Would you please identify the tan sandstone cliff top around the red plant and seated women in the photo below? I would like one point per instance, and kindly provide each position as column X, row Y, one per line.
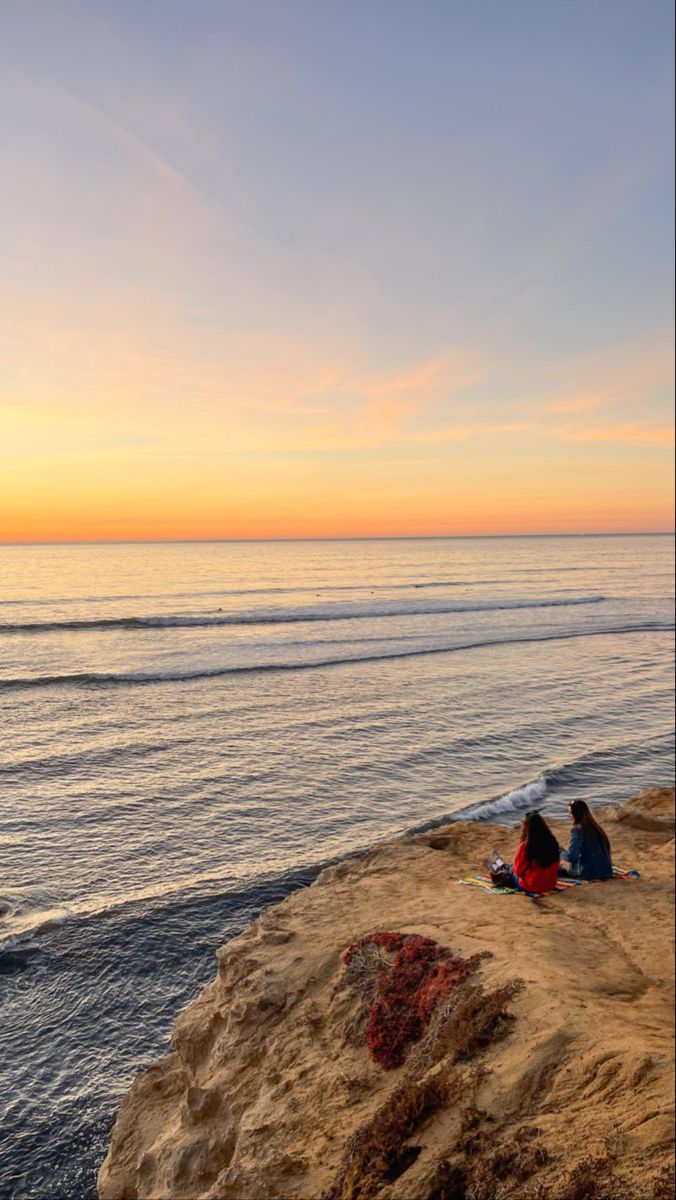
column 271, row 1091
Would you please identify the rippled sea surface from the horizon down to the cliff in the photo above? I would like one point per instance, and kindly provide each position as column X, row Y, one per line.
column 189, row 731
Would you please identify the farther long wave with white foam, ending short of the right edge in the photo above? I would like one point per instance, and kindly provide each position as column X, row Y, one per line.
column 292, row 616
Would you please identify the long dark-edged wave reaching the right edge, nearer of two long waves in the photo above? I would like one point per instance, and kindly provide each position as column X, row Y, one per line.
column 103, row 679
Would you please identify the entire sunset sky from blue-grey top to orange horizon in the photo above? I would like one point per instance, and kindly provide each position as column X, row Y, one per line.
column 336, row 268
